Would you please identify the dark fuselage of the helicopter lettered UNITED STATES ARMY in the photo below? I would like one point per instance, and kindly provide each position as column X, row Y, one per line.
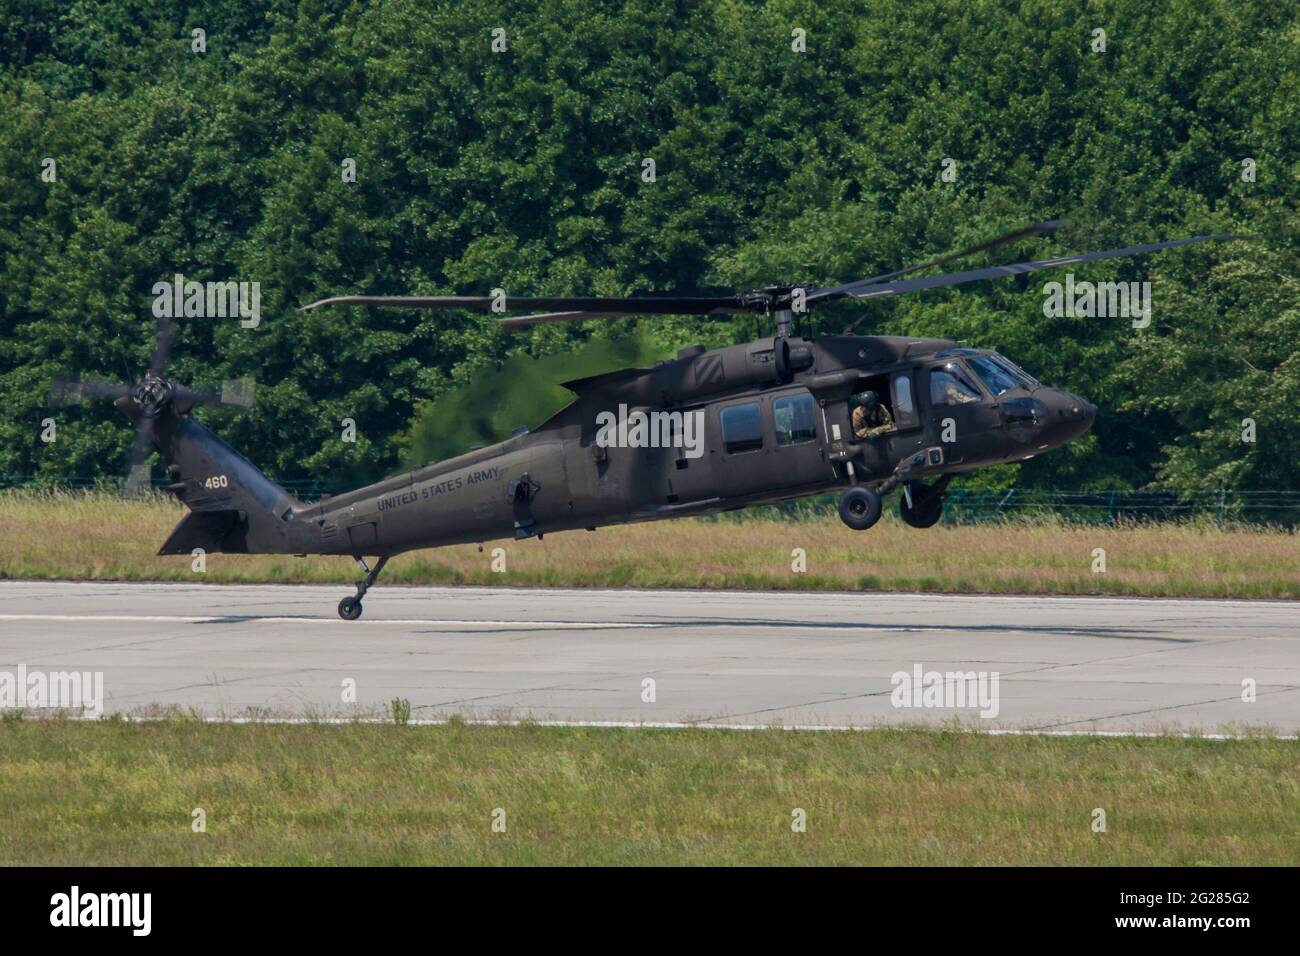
column 707, row 432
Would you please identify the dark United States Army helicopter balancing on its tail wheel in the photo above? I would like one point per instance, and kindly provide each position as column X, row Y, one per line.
column 707, row 432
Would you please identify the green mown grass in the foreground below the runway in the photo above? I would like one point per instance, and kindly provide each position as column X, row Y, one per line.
column 116, row 793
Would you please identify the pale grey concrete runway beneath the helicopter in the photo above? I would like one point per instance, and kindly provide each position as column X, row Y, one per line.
column 716, row 659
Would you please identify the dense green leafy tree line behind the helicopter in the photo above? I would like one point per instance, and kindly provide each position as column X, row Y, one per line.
column 525, row 170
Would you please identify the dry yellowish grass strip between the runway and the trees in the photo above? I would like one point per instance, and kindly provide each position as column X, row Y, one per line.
column 106, row 538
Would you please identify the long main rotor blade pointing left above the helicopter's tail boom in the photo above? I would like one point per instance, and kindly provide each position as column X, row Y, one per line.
column 648, row 305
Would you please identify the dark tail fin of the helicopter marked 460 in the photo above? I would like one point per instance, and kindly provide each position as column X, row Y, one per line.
column 235, row 508
